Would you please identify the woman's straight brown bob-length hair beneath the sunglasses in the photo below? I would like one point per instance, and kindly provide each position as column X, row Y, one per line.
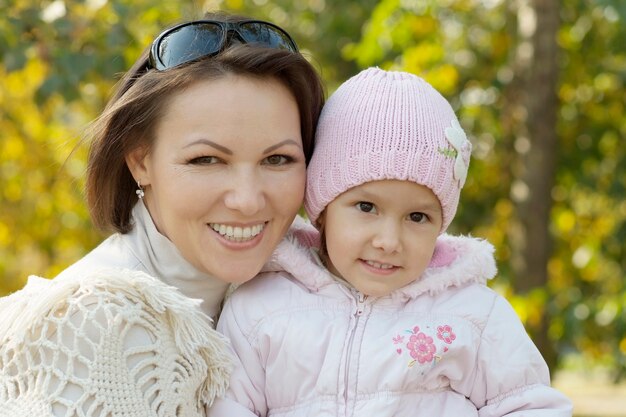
column 129, row 120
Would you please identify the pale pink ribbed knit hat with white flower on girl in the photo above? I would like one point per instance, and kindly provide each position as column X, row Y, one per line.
column 387, row 125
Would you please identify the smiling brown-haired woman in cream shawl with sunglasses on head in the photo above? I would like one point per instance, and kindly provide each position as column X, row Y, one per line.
column 198, row 166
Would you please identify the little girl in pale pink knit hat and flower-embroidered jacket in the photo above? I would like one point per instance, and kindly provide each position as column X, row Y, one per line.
column 390, row 317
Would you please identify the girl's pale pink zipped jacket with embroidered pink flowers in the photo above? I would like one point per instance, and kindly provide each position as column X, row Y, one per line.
column 446, row 345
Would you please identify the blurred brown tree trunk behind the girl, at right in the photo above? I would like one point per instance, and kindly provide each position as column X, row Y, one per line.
column 539, row 162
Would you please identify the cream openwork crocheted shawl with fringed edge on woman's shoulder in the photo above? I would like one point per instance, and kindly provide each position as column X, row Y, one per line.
column 115, row 343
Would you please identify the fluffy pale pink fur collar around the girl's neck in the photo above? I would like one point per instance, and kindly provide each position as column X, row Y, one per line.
column 457, row 260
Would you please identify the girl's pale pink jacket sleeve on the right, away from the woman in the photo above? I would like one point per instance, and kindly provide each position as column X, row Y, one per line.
column 512, row 378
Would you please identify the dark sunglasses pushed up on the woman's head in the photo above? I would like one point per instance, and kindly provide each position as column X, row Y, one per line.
column 204, row 38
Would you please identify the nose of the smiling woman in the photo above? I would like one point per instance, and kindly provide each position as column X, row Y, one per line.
column 246, row 194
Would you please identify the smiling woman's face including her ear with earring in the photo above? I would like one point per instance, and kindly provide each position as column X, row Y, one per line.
column 225, row 176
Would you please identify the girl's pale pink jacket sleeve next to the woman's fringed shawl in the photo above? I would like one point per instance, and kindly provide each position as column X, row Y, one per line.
column 246, row 393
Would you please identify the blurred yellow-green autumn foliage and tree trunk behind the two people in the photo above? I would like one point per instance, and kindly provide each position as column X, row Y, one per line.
column 537, row 84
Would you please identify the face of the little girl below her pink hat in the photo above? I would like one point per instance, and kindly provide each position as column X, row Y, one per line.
column 380, row 236
